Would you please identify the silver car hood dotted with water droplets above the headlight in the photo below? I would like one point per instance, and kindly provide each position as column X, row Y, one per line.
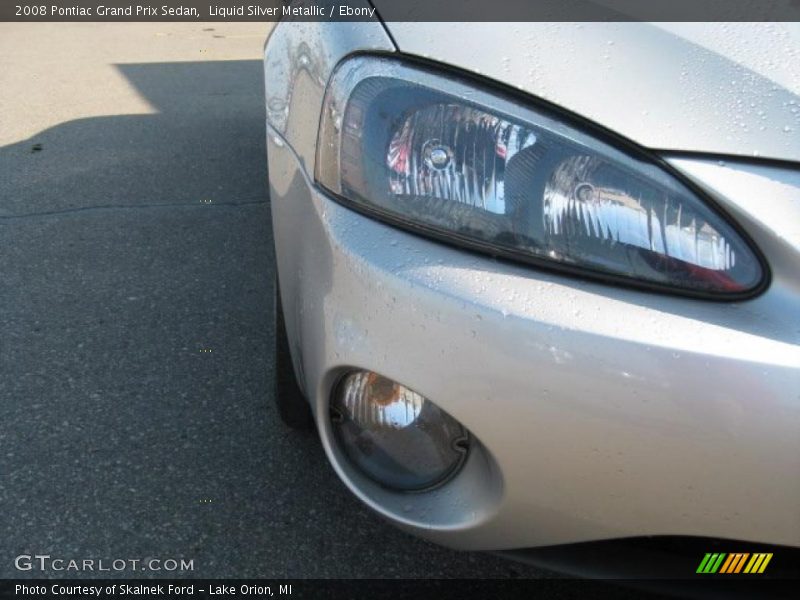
column 722, row 88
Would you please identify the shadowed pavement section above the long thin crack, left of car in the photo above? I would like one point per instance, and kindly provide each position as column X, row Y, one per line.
column 206, row 142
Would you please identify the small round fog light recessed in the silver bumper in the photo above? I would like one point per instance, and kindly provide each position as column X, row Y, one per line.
column 395, row 436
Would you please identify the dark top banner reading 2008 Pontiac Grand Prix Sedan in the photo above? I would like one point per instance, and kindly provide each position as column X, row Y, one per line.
column 400, row 10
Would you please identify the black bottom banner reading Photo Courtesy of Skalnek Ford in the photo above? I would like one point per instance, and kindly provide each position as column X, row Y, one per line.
column 347, row 589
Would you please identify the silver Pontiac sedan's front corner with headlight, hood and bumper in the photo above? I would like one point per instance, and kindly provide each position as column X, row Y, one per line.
column 539, row 283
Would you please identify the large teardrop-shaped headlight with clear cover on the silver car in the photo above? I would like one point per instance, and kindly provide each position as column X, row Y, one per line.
column 437, row 155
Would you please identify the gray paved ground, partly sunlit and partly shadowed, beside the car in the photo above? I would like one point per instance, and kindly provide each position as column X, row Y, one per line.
column 135, row 235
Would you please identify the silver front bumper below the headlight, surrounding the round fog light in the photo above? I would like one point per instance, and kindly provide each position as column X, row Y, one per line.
column 601, row 412
